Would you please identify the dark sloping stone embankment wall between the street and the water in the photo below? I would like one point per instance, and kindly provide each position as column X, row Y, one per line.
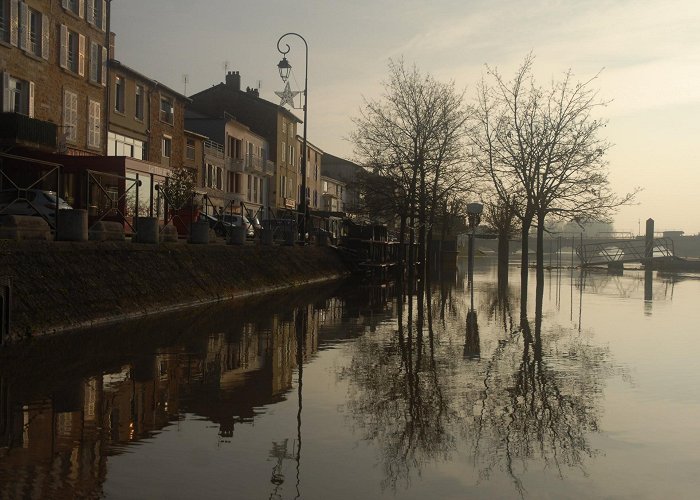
column 58, row 286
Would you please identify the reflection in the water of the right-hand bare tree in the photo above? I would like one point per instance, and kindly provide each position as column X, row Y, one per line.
column 530, row 409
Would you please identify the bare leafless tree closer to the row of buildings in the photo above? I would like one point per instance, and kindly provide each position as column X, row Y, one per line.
column 414, row 136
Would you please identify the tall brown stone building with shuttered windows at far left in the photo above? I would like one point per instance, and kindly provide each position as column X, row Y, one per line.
column 53, row 57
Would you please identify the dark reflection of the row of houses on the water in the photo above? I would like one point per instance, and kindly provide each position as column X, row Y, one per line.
column 56, row 444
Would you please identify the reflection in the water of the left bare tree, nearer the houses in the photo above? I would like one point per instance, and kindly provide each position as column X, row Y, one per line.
column 399, row 400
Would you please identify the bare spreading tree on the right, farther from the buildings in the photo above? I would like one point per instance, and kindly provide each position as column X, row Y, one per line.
column 544, row 145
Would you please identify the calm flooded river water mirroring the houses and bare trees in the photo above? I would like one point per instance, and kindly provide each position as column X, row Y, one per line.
column 345, row 392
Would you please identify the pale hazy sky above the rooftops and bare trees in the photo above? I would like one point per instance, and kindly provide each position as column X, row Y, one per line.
column 646, row 52
